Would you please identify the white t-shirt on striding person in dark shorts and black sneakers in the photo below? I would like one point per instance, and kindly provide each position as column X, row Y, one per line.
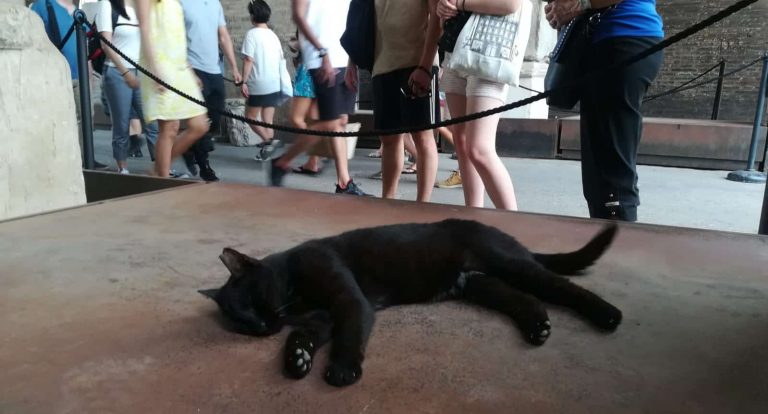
column 327, row 19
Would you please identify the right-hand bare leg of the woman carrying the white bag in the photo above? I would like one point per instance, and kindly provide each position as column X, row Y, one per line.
column 481, row 136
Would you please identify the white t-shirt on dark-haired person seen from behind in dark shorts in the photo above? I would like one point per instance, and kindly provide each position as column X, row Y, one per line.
column 263, row 47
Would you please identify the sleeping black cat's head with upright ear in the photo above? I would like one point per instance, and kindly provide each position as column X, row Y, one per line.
column 252, row 298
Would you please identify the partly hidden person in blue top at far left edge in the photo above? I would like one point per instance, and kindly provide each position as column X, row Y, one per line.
column 57, row 19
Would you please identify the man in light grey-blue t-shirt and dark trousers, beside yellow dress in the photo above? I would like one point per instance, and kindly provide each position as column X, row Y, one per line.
column 207, row 33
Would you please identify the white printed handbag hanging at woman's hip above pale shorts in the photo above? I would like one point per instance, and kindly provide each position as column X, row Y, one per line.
column 493, row 47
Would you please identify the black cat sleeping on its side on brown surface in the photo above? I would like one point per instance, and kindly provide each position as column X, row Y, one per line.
column 329, row 288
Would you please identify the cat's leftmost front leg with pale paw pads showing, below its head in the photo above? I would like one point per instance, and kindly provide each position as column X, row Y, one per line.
column 311, row 333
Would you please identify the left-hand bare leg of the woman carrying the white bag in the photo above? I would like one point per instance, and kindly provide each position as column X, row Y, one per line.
column 474, row 191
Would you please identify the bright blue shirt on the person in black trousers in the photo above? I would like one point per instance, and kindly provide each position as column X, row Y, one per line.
column 630, row 18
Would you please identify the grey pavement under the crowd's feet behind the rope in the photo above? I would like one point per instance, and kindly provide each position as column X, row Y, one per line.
column 671, row 196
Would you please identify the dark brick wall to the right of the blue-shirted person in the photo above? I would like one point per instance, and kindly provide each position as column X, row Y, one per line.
column 739, row 39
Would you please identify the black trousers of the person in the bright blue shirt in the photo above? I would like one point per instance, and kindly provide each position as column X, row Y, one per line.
column 611, row 127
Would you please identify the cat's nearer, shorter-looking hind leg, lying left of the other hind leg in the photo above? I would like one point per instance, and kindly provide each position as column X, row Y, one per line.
column 527, row 311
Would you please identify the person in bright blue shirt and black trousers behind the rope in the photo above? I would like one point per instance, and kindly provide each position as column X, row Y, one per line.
column 611, row 121
